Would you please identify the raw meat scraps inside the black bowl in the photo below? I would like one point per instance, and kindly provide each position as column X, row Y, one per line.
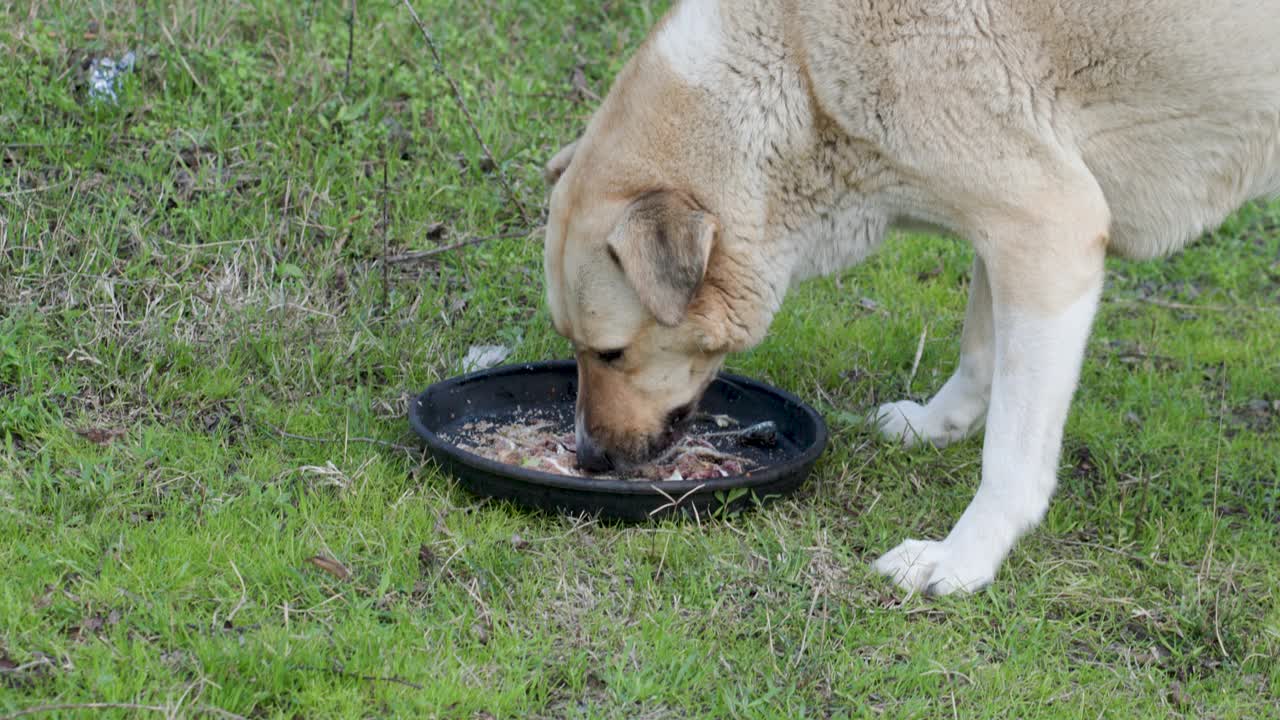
column 716, row 446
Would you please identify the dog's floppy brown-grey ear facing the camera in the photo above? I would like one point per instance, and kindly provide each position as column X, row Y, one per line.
column 664, row 244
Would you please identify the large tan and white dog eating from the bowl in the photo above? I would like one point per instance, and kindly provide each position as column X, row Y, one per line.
column 752, row 144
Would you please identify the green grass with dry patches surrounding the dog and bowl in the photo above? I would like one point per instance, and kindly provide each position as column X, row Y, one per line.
column 194, row 272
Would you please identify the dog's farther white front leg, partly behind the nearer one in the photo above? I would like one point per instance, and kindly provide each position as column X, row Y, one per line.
column 958, row 409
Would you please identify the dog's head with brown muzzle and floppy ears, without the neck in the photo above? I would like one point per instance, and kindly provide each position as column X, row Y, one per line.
column 621, row 284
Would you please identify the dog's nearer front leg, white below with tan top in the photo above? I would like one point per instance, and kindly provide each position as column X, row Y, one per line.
column 1044, row 304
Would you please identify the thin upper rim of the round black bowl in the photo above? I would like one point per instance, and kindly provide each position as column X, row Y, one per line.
column 675, row 490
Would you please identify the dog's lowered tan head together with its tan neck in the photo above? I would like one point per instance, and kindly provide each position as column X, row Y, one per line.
column 653, row 263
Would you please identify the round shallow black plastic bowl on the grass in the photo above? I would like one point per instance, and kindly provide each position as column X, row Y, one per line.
column 499, row 395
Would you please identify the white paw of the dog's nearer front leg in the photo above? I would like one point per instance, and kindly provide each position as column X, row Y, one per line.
column 935, row 568
